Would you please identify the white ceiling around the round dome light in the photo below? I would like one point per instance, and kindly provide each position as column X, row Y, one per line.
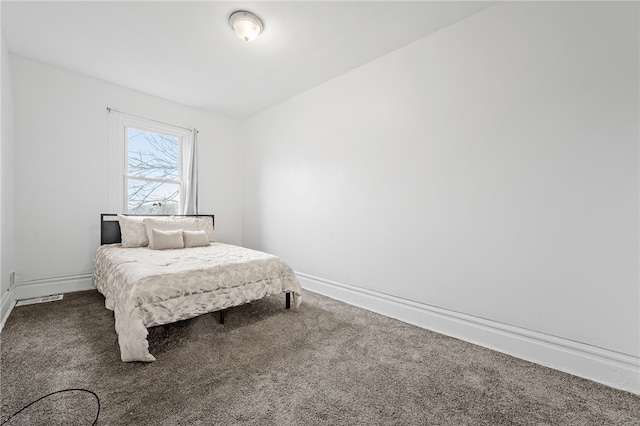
column 186, row 51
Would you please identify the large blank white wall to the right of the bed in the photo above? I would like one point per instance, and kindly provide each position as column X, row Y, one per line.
column 488, row 170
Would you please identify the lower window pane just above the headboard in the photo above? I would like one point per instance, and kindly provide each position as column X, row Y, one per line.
column 148, row 197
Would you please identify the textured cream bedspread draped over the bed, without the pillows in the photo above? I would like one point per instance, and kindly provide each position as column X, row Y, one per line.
column 147, row 287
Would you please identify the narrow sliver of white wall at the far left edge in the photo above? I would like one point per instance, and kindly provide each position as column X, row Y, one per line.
column 7, row 248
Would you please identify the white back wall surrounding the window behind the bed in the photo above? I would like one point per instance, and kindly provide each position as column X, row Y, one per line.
column 61, row 170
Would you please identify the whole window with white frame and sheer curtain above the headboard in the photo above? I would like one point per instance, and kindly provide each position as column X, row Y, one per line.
column 153, row 166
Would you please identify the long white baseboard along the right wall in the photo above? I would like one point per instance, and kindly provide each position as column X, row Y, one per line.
column 604, row 366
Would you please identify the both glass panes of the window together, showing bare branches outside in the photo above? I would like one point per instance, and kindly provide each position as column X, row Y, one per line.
column 153, row 173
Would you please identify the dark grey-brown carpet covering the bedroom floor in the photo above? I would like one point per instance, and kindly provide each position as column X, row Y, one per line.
column 327, row 363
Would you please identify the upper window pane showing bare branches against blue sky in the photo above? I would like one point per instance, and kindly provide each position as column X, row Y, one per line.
column 153, row 155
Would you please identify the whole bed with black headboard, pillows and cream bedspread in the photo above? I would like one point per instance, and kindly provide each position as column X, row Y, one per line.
column 149, row 285
